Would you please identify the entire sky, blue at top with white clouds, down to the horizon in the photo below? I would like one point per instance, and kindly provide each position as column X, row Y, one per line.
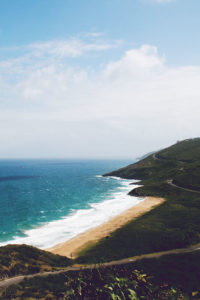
column 97, row 79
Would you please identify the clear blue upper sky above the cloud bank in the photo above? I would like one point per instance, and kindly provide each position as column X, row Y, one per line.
column 173, row 26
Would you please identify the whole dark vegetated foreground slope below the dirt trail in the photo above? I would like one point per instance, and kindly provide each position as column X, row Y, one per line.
column 181, row 272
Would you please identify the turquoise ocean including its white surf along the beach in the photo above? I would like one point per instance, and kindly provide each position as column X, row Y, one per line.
column 46, row 202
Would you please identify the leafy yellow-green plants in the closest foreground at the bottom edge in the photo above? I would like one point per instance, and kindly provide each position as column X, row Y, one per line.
column 100, row 285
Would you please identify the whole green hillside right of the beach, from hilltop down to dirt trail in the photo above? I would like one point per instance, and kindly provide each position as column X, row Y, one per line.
column 175, row 224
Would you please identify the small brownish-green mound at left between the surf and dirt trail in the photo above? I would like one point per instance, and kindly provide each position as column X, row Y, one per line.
column 23, row 259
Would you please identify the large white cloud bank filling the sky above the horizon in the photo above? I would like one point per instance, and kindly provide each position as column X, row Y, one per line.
column 132, row 105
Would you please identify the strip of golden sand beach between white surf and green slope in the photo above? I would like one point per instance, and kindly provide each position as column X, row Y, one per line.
column 74, row 246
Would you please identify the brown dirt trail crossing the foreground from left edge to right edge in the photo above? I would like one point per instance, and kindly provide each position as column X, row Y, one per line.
column 15, row 280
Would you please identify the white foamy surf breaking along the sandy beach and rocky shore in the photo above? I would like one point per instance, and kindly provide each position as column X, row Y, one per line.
column 78, row 221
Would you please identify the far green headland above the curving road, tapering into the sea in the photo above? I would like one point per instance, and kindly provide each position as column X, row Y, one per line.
column 180, row 163
